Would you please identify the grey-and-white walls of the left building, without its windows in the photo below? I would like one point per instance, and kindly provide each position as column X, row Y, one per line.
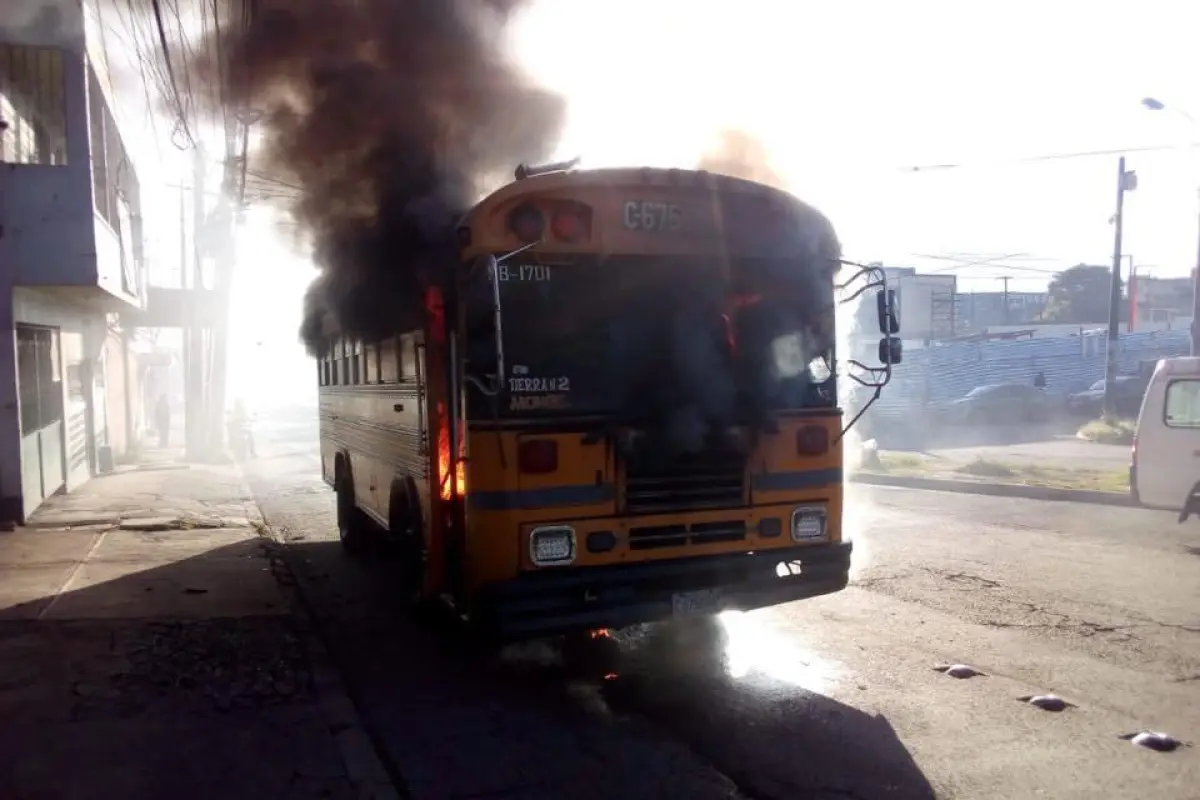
column 62, row 263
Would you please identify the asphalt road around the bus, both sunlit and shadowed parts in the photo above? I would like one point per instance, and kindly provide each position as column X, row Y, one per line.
column 829, row 699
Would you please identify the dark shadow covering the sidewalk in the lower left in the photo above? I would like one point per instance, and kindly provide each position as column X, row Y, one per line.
column 185, row 679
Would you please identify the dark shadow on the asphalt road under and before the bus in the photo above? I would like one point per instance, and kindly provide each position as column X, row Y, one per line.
column 464, row 721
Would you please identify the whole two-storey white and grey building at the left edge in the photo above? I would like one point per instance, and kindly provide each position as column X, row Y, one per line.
column 70, row 258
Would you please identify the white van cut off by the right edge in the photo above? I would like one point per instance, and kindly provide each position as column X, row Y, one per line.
column 1166, row 470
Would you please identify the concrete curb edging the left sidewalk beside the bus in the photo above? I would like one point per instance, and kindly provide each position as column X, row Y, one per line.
column 355, row 745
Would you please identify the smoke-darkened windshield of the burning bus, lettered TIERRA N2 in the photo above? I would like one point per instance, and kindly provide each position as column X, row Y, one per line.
column 602, row 339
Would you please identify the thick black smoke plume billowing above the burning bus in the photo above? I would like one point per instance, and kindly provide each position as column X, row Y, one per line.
column 388, row 116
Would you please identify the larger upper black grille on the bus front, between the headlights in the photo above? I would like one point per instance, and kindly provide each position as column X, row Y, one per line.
column 710, row 480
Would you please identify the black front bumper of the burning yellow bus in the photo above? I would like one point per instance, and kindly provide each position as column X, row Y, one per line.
column 560, row 601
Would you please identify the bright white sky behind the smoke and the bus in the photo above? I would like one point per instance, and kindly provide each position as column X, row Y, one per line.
column 913, row 125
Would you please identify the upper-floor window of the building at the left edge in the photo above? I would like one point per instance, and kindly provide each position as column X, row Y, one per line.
column 33, row 110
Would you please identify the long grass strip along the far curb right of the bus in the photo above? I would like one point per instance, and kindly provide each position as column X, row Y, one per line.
column 999, row 472
